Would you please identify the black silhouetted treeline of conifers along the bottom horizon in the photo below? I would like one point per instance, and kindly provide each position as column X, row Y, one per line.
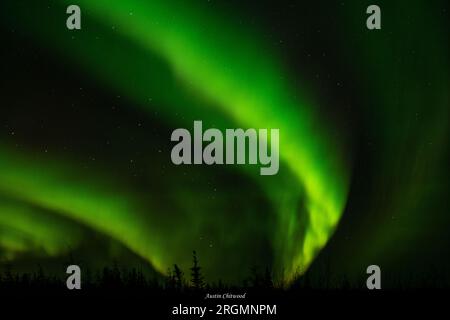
column 115, row 278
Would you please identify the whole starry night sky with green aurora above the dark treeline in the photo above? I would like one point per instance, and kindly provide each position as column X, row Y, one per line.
column 85, row 146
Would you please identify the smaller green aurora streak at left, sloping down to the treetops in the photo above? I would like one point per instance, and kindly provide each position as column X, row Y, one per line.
column 63, row 190
